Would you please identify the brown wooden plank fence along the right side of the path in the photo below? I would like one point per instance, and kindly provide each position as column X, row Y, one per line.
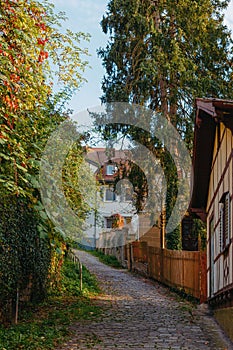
column 183, row 270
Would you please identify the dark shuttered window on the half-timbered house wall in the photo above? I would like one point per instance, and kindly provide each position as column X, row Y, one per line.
column 225, row 221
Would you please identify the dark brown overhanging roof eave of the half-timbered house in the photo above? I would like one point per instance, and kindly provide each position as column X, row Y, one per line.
column 210, row 112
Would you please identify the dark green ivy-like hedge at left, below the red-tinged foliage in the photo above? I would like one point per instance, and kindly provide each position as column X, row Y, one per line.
column 24, row 257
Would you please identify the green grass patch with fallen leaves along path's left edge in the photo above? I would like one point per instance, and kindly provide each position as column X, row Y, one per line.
column 47, row 325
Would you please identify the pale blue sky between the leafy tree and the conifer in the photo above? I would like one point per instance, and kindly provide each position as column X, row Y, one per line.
column 85, row 16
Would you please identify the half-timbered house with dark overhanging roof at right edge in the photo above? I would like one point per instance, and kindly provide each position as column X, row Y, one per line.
column 213, row 193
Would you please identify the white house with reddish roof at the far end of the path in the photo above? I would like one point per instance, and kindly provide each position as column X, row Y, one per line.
column 115, row 210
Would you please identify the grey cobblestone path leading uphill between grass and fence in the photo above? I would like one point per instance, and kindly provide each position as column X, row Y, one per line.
column 141, row 314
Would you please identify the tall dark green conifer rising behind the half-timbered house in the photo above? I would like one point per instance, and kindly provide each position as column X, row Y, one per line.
column 162, row 55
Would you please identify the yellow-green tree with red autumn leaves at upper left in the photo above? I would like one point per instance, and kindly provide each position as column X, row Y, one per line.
column 30, row 44
